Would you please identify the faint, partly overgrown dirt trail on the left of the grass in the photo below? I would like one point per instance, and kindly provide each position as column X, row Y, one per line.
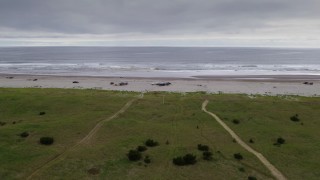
column 86, row 139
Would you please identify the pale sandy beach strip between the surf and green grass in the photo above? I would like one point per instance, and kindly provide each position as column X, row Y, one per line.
column 267, row 85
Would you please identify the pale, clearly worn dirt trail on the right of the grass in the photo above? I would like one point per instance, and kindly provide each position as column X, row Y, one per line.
column 274, row 171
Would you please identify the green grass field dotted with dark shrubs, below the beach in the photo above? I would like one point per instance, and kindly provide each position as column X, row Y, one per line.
column 71, row 114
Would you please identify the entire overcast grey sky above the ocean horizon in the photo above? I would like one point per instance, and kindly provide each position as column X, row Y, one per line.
column 271, row 23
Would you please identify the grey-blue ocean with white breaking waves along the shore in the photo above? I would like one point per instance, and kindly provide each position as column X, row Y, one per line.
column 158, row 61
